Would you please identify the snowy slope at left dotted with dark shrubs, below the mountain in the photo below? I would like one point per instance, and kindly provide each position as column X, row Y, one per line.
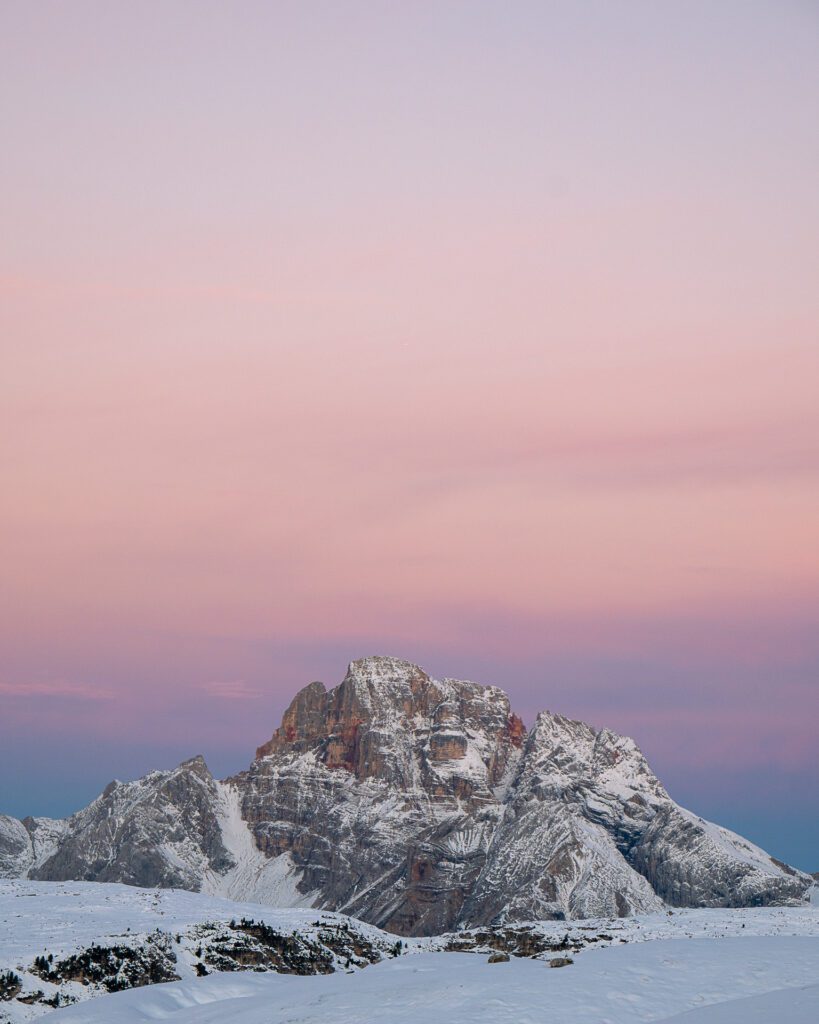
column 69, row 943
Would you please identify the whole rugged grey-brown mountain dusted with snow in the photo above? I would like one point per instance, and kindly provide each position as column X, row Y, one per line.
column 420, row 806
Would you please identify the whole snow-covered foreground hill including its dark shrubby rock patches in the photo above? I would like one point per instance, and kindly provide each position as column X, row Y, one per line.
column 67, row 943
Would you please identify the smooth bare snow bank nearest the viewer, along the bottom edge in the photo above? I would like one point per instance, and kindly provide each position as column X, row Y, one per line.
column 618, row 986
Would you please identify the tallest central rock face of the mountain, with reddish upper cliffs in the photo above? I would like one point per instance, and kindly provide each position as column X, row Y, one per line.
column 382, row 791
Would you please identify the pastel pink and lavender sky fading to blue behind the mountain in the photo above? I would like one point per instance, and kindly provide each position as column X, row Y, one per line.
column 486, row 335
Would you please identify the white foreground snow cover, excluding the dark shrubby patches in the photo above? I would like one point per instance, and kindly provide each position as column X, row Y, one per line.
column 693, row 967
